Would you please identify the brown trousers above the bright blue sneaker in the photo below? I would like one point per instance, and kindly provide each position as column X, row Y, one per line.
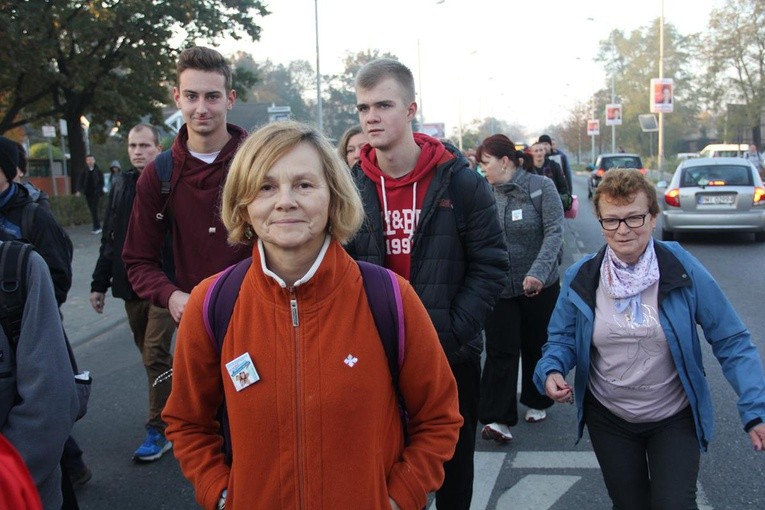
column 153, row 328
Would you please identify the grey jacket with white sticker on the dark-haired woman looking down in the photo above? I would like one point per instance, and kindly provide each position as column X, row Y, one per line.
column 533, row 237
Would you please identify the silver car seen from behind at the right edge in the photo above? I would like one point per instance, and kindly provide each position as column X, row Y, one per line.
column 714, row 195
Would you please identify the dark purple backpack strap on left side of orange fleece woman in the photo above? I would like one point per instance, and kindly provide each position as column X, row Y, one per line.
column 217, row 308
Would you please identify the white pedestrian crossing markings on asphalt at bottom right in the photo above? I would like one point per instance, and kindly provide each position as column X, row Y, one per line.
column 539, row 490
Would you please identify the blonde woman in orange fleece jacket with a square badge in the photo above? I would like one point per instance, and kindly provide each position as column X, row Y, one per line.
column 316, row 423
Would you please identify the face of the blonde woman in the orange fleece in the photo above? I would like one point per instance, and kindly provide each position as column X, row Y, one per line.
column 291, row 209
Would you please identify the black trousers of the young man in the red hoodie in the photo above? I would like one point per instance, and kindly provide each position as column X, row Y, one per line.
column 457, row 489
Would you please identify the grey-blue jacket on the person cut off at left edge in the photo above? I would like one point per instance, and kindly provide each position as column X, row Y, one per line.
column 38, row 399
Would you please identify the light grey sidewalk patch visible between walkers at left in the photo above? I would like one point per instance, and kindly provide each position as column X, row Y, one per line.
column 81, row 322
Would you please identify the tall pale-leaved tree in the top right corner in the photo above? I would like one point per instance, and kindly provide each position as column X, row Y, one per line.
column 735, row 51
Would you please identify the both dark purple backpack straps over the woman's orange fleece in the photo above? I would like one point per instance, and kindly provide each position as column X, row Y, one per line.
column 383, row 295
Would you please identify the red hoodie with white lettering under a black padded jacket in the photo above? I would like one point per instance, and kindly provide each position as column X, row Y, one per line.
column 401, row 199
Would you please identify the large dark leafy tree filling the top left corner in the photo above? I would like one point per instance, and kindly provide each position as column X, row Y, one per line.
column 110, row 59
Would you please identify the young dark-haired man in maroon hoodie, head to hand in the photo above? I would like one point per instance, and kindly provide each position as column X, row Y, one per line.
column 189, row 214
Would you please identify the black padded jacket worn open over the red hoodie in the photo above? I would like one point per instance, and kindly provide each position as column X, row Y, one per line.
column 457, row 271
